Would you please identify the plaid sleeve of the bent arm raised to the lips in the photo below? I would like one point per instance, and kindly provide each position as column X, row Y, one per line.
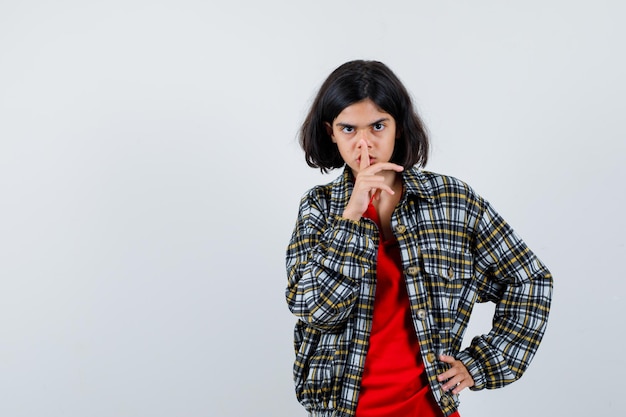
column 326, row 259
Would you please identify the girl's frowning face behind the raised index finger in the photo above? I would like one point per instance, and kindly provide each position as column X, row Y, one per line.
column 363, row 122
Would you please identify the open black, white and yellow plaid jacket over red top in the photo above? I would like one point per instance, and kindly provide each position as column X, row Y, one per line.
column 456, row 250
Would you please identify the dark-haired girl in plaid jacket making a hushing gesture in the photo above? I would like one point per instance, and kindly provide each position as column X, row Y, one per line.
column 386, row 262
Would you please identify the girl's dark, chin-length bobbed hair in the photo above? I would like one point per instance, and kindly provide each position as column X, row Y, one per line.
column 352, row 82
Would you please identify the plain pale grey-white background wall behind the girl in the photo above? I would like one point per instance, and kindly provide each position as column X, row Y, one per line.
column 150, row 178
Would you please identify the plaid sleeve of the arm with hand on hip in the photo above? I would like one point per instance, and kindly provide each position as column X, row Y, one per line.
column 521, row 287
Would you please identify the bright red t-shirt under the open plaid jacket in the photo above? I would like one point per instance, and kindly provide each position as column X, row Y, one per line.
column 394, row 381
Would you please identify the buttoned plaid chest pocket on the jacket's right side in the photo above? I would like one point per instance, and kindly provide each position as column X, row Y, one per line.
column 448, row 279
